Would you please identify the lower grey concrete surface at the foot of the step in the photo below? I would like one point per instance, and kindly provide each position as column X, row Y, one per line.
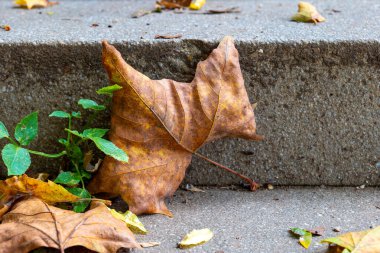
column 259, row 222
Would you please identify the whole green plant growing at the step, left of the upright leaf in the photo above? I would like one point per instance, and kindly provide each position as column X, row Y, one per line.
column 16, row 155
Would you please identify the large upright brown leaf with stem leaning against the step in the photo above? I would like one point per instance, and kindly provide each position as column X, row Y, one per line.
column 162, row 123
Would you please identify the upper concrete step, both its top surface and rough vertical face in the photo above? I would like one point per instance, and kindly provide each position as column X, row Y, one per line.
column 317, row 86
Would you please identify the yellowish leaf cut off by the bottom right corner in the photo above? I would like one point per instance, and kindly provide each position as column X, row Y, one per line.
column 367, row 241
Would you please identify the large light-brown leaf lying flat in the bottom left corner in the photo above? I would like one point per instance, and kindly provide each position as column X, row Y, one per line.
column 32, row 224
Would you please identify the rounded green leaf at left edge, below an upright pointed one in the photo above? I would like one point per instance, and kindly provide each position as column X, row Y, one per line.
column 17, row 159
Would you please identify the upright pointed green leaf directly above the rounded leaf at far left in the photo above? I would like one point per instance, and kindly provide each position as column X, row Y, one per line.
column 27, row 129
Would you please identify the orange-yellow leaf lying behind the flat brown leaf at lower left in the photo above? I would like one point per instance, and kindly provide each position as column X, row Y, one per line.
column 49, row 191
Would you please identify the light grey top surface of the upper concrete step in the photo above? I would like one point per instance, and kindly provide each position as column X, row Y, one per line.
column 262, row 21
